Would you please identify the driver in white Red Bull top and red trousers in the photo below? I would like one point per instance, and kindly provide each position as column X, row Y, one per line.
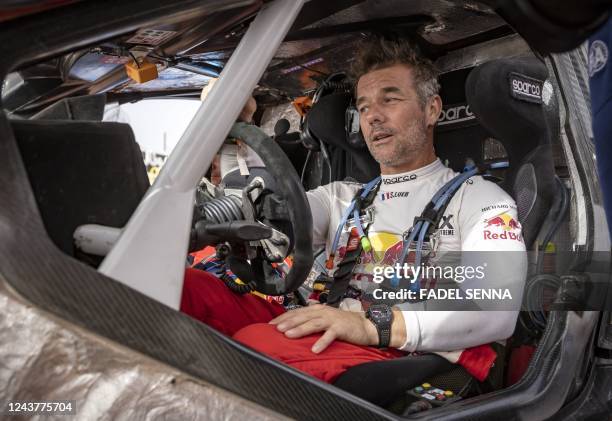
column 398, row 105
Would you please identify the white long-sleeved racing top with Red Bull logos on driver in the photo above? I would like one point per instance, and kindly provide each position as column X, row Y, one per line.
column 480, row 217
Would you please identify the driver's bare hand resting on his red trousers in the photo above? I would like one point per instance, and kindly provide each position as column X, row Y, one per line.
column 347, row 326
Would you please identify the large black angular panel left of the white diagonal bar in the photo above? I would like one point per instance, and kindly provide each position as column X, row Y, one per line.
column 81, row 172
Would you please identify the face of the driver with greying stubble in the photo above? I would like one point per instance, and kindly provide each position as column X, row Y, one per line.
column 393, row 122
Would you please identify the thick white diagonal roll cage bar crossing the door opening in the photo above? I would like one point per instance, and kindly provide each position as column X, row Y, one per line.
column 137, row 258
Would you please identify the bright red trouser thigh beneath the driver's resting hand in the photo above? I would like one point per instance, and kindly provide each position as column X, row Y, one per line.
column 326, row 366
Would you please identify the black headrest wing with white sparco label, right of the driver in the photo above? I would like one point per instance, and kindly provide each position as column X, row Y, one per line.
column 509, row 97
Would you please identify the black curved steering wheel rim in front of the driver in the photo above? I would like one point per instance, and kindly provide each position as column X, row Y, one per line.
column 300, row 217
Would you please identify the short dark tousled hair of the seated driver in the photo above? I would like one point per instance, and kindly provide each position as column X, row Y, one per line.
column 378, row 52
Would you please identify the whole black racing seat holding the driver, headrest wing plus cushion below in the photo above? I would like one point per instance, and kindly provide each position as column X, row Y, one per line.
column 525, row 125
